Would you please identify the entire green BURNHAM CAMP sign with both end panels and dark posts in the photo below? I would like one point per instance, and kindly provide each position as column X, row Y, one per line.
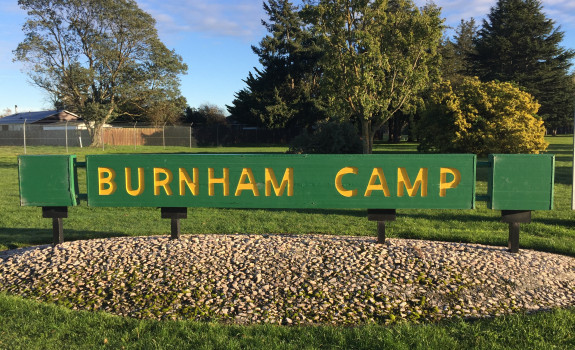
column 517, row 184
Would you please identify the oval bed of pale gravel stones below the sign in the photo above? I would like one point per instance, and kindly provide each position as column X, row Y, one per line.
column 287, row 279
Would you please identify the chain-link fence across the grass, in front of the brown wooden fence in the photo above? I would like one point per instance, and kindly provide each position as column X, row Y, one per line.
column 76, row 135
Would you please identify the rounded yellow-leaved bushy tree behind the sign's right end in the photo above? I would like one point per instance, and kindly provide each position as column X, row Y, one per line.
column 481, row 118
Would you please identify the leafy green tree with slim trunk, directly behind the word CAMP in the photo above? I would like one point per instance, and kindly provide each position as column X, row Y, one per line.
column 378, row 56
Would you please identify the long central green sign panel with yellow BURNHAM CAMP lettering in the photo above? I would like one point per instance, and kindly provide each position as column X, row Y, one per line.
column 282, row 181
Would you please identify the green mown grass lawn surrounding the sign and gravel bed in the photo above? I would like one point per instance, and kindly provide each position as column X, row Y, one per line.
column 25, row 324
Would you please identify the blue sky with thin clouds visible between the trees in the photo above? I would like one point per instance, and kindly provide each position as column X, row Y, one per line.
column 214, row 37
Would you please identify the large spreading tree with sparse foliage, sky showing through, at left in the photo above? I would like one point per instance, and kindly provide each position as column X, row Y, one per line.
column 99, row 58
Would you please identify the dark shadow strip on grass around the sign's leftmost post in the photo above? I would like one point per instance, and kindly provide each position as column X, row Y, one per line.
column 14, row 238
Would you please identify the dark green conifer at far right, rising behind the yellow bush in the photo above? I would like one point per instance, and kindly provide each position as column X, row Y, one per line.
column 518, row 43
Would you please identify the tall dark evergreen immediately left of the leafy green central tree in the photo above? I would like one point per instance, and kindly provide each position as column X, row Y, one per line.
column 285, row 92
